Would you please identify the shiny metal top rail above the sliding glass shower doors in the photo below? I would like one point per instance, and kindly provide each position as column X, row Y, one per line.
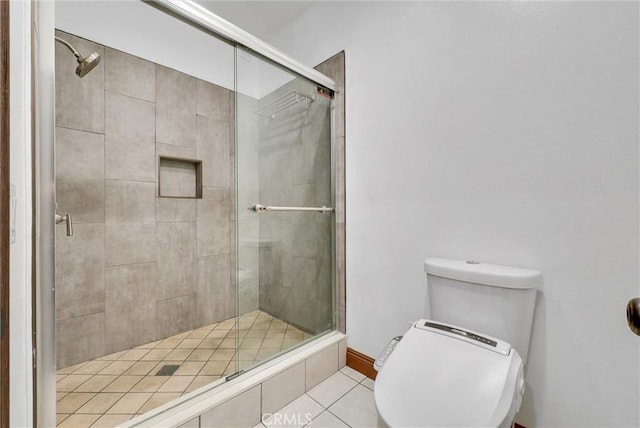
column 198, row 14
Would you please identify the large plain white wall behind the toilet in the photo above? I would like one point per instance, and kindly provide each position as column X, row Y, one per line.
column 501, row 132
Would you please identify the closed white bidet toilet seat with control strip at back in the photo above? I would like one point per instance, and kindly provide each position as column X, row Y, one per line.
column 437, row 378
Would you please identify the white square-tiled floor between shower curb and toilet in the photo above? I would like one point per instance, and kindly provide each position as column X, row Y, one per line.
column 343, row 400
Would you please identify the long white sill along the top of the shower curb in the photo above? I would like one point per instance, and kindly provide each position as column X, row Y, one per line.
column 183, row 409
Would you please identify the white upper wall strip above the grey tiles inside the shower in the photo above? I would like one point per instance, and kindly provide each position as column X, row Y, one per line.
column 139, row 29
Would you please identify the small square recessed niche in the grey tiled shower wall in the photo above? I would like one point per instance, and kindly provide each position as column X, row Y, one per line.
column 179, row 178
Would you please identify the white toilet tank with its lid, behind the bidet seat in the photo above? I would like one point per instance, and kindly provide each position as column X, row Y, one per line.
column 495, row 300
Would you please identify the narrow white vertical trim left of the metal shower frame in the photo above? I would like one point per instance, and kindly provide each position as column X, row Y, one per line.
column 20, row 252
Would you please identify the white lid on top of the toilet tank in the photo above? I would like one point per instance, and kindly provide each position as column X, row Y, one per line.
column 483, row 273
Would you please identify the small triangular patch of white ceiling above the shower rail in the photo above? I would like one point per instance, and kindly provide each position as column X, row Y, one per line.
column 263, row 19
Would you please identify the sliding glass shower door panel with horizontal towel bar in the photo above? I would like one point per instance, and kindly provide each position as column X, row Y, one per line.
column 285, row 274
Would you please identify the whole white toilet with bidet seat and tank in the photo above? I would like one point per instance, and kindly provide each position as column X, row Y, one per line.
column 464, row 366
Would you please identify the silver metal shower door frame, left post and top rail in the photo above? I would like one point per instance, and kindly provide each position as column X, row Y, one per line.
column 43, row 170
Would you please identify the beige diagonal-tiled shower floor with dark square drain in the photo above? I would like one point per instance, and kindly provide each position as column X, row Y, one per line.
column 112, row 389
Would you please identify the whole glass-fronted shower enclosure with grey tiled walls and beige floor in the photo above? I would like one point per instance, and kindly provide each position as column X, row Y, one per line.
column 196, row 206
